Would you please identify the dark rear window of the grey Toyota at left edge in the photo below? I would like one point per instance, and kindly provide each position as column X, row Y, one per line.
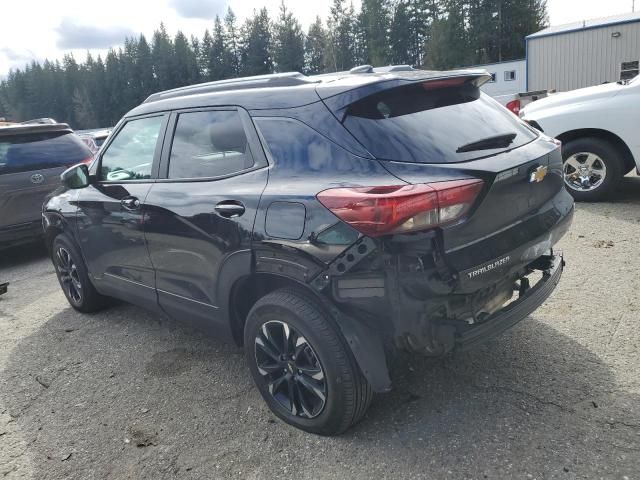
column 22, row 153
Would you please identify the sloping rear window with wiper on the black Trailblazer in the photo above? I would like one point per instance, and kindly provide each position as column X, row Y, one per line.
column 426, row 123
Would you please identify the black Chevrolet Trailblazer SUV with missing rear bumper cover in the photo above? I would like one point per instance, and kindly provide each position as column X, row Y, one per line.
column 322, row 222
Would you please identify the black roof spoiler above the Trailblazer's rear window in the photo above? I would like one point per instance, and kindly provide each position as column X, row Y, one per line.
column 339, row 102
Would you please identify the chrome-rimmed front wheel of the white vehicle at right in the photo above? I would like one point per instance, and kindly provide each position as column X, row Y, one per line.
column 580, row 152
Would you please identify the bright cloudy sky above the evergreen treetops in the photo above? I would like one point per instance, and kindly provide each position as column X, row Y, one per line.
column 38, row 29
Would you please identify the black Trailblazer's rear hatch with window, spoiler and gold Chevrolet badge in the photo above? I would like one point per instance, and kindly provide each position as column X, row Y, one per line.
column 443, row 129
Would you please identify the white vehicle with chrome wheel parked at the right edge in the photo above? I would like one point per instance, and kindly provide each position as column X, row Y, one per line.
column 598, row 127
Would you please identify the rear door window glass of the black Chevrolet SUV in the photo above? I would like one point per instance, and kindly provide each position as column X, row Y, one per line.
column 209, row 144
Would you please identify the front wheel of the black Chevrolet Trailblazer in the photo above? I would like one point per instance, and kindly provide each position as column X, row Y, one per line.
column 73, row 277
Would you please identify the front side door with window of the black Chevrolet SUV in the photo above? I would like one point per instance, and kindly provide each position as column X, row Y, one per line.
column 111, row 212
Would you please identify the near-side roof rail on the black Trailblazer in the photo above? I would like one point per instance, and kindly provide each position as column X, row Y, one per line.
column 289, row 79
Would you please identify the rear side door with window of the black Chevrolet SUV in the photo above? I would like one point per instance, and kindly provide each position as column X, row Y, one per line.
column 202, row 212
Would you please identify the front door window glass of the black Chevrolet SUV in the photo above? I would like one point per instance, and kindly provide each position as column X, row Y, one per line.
column 130, row 155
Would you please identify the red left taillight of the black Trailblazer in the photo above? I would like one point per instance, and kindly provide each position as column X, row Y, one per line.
column 376, row 211
